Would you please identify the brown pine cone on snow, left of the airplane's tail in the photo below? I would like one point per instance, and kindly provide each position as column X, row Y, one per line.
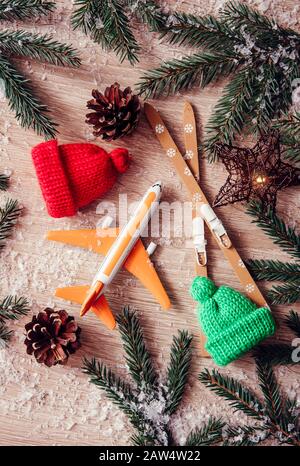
column 51, row 336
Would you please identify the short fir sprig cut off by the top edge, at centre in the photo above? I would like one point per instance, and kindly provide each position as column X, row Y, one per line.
column 148, row 12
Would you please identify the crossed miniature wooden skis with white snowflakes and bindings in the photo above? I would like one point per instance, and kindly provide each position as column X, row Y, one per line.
column 187, row 167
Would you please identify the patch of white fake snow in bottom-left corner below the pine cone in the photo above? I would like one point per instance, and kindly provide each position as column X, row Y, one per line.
column 70, row 402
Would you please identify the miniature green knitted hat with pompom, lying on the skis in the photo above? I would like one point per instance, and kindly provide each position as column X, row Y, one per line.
column 231, row 322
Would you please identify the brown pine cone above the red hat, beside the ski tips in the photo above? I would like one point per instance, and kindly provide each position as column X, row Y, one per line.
column 116, row 113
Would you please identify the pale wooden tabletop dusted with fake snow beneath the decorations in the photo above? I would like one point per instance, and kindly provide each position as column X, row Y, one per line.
column 57, row 406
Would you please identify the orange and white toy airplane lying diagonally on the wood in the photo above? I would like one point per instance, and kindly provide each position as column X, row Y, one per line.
column 122, row 249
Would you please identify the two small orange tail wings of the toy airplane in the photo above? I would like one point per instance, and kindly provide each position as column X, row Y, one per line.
column 100, row 307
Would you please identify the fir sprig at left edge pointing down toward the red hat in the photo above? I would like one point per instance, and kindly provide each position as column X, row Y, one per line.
column 30, row 112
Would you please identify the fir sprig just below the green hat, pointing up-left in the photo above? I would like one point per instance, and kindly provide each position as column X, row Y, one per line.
column 239, row 397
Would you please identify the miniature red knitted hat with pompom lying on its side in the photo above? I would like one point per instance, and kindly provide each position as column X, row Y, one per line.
column 73, row 175
